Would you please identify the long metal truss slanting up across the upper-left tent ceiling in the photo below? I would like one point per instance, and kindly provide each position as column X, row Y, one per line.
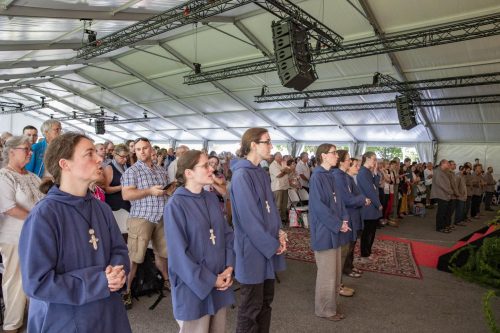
column 186, row 13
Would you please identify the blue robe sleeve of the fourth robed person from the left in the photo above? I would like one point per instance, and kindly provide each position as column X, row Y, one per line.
column 319, row 198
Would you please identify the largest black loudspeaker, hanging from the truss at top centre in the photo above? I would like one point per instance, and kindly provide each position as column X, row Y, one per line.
column 293, row 55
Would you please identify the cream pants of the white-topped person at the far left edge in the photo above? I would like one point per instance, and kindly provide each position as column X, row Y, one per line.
column 12, row 287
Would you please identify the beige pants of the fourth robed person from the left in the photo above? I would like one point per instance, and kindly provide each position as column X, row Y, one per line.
column 327, row 282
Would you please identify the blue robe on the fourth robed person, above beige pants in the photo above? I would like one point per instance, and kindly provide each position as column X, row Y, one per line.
column 326, row 211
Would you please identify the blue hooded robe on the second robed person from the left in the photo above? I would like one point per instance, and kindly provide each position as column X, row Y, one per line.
column 193, row 261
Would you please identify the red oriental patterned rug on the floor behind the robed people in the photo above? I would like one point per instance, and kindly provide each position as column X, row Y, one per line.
column 389, row 256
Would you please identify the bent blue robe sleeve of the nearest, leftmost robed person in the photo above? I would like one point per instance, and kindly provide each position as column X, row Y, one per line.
column 38, row 252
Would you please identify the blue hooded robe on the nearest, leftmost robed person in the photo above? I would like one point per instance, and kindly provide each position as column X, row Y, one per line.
column 62, row 273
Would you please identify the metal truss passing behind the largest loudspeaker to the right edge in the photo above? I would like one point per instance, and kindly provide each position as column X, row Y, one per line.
column 450, row 33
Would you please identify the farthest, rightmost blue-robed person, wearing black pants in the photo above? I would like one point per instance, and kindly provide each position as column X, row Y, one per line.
column 373, row 212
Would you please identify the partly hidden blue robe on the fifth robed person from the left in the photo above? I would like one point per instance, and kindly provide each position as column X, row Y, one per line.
column 353, row 199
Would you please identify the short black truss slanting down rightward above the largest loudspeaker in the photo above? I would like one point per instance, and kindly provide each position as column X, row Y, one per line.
column 284, row 9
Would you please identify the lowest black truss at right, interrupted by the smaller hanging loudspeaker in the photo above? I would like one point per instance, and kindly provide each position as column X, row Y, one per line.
column 424, row 103
